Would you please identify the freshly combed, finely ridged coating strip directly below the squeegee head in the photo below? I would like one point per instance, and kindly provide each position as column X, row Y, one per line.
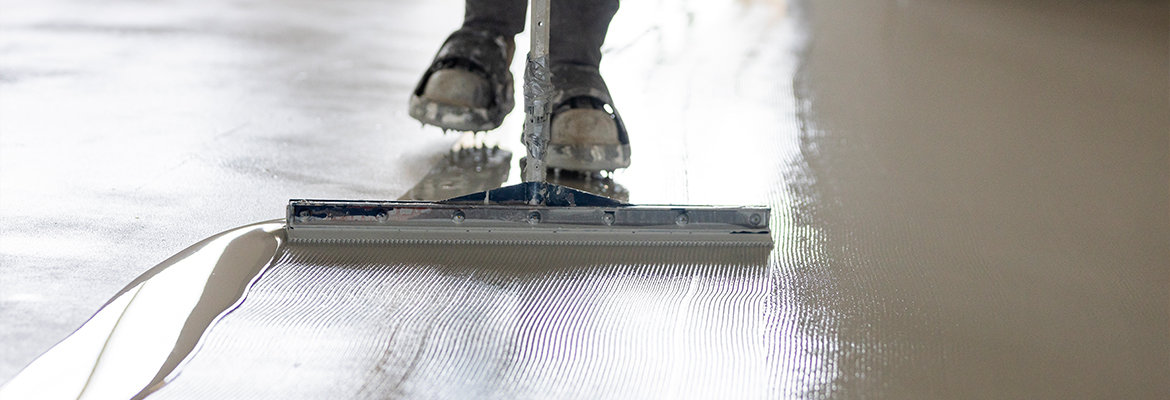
column 375, row 322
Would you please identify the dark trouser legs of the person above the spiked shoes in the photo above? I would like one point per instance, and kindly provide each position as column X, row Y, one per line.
column 575, row 37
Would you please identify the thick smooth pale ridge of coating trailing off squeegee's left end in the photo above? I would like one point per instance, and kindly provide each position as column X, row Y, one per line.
column 153, row 326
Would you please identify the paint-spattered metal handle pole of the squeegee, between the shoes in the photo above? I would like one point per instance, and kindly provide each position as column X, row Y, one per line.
column 538, row 94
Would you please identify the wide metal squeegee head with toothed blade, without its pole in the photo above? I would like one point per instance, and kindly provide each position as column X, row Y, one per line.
column 484, row 218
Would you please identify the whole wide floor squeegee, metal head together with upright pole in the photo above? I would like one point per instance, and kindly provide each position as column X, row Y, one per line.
column 532, row 212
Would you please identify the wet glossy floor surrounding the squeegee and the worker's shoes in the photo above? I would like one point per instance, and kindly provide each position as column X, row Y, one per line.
column 971, row 201
